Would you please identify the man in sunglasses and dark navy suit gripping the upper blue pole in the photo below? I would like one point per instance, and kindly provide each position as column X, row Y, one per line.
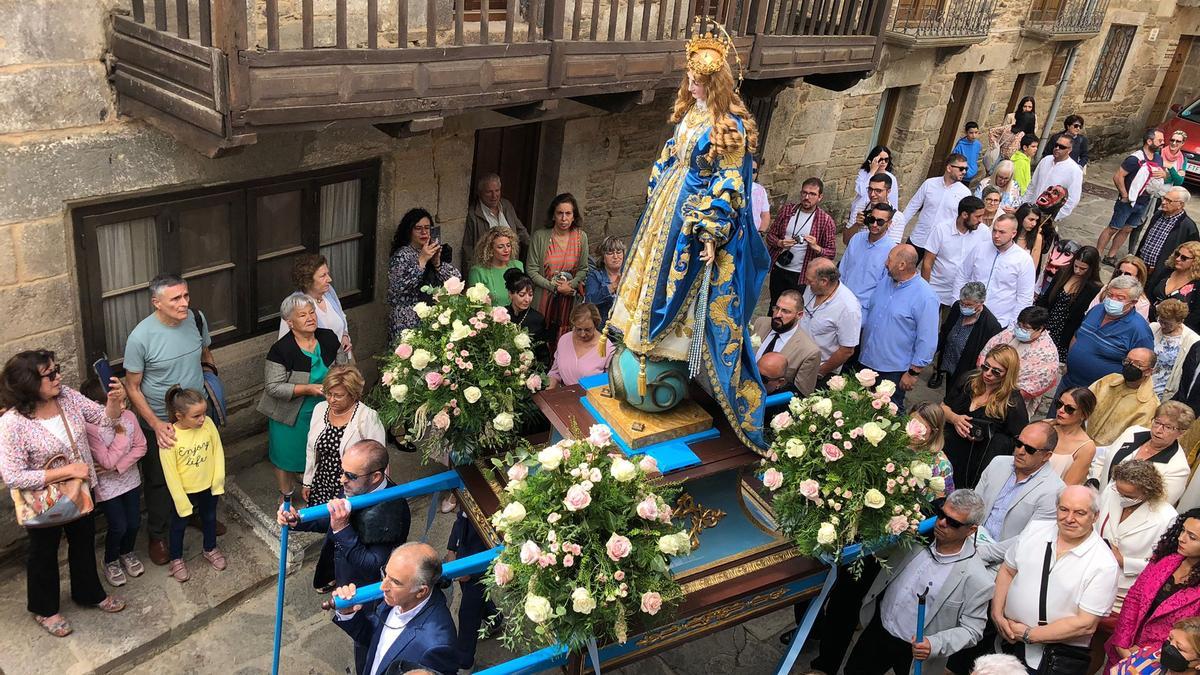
column 358, row 542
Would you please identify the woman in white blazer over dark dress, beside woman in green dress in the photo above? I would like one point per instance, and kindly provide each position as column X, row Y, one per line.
column 338, row 423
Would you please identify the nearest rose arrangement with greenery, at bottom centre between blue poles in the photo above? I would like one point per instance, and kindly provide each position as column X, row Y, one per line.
column 589, row 542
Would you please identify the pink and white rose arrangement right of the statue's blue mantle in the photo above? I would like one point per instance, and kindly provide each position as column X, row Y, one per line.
column 842, row 470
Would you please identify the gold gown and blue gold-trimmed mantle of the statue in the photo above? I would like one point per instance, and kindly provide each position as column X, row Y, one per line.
column 691, row 201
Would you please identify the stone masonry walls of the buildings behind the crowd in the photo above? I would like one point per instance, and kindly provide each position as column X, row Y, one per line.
column 64, row 150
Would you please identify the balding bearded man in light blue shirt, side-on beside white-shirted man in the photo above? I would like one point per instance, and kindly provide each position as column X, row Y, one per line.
column 901, row 328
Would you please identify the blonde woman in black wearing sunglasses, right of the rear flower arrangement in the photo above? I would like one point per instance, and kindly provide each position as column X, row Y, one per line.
column 985, row 415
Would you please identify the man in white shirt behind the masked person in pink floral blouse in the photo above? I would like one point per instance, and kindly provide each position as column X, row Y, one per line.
column 1005, row 268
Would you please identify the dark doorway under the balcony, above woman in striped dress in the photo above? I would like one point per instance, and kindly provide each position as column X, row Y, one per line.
column 512, row 153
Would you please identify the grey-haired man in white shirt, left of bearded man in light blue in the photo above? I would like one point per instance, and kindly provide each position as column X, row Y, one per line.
column 832, row 316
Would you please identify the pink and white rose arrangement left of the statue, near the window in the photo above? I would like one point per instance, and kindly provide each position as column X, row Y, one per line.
column 463, row 381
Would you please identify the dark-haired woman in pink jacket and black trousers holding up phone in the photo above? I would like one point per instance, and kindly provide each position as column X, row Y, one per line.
column 46, row 420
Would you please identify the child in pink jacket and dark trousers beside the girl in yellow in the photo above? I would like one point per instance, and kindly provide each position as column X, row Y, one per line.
column 117, row 451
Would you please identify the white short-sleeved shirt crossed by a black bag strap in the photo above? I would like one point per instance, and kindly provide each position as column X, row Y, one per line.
column 1083, row 580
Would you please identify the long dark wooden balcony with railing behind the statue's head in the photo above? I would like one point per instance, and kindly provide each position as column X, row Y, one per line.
column 215, row 74
